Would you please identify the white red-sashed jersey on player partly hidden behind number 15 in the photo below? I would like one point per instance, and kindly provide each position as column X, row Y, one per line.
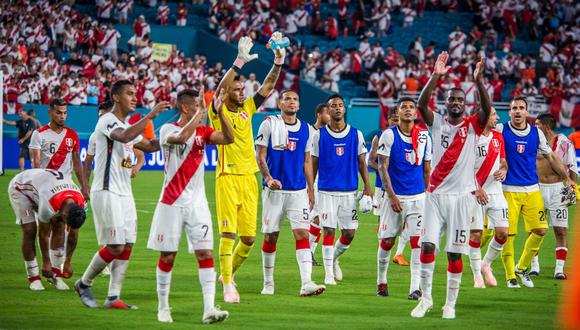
column 488, row 152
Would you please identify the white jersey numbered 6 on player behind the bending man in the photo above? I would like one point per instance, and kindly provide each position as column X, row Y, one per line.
column 56, row 149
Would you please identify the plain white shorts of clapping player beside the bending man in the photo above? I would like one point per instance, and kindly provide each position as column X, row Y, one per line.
column 115, row 218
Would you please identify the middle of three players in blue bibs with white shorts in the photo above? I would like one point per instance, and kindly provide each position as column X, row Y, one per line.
column 338, row 152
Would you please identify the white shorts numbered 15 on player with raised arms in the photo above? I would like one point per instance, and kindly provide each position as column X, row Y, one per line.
column 450, row 214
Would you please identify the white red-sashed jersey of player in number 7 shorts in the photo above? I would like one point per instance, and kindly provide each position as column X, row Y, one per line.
column 184, row 167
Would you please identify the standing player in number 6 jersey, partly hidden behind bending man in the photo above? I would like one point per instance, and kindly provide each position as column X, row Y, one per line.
column 56, row 147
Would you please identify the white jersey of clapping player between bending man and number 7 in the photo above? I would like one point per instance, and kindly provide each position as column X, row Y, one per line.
column 113, row 159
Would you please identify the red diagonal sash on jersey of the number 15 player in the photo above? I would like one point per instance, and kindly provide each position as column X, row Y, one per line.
column 449, row 158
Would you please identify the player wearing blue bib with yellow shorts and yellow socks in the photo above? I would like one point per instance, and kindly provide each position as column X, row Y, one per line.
column 523, row 142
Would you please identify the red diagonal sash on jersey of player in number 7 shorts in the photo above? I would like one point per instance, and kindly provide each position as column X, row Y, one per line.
column 183, row 175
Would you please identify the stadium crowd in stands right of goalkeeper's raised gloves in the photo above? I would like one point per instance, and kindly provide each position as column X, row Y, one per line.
column 553, row 73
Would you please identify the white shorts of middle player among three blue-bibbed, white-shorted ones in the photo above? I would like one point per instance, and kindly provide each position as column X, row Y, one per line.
column 338, row 210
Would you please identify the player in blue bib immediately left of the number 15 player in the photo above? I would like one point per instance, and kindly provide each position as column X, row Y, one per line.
column 404, row 152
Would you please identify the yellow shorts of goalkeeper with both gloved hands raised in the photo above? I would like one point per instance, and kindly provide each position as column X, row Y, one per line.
column 237, row 204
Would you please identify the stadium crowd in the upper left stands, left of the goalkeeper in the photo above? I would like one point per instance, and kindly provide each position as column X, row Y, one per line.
column 76, row 58
